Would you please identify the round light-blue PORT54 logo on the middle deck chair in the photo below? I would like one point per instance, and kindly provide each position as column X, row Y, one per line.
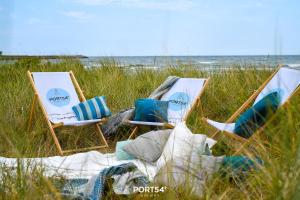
column 179, row 101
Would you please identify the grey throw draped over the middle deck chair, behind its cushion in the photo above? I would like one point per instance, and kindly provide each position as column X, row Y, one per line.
column 116, row 121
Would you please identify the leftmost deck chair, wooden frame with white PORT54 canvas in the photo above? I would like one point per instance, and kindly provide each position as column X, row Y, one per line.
column 55, row 93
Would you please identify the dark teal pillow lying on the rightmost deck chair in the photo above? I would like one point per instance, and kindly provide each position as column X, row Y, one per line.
column 256, row 116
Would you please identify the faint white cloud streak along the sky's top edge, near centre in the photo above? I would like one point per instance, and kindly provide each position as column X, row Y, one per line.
column 175, row 5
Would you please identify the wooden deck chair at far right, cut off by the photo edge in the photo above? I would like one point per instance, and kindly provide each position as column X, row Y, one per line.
column 285, row 79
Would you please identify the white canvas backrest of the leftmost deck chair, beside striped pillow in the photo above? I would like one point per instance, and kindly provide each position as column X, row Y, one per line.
column 58, row 95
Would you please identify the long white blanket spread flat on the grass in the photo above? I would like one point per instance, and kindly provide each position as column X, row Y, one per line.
column 80, row 165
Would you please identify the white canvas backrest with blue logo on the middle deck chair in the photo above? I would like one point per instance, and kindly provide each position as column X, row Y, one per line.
column 182, row 96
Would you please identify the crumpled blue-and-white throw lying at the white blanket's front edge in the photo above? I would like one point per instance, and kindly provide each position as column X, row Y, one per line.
column 125, row 176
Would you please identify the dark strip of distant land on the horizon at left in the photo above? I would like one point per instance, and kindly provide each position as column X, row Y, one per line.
column 16, row 57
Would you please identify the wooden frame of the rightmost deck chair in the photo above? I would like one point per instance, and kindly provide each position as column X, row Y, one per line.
column 245, row 142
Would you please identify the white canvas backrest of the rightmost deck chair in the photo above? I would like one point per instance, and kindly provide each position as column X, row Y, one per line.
column 285, row 81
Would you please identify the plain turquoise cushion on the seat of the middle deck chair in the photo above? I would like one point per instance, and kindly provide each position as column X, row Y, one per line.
column 151, row 110
